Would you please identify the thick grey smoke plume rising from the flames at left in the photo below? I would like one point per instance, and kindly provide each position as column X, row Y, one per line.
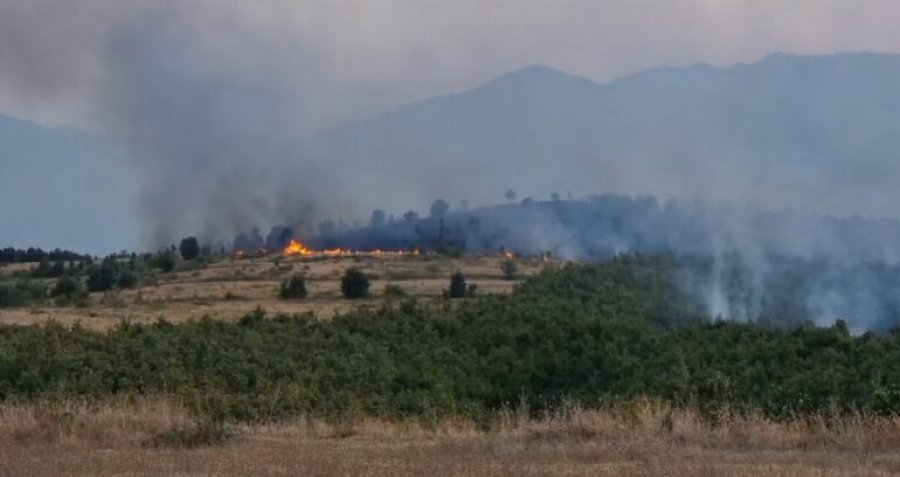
column 209, row 101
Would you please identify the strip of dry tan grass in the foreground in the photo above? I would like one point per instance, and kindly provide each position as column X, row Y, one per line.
column 112, row 439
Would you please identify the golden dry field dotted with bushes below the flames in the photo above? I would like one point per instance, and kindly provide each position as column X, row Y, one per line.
column 230, row 288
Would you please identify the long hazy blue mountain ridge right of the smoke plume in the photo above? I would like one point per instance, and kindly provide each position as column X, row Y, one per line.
column 817, row 132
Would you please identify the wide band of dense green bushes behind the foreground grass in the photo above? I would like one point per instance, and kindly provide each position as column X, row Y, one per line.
column 588, row 334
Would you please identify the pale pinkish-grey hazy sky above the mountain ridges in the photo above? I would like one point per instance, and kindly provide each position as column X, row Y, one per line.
column 346, row 59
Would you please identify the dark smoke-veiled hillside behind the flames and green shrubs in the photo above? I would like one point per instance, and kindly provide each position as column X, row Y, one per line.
column 779, row 266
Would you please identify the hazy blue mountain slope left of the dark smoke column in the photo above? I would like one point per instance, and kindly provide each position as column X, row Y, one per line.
column 69, row 187
